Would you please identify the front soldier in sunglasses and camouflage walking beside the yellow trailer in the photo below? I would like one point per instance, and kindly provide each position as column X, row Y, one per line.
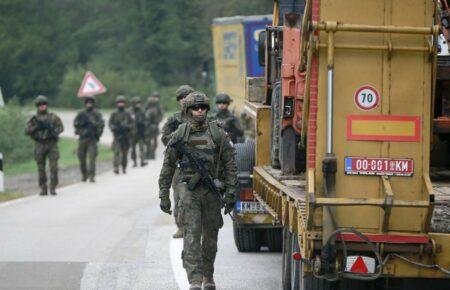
column 200, row 207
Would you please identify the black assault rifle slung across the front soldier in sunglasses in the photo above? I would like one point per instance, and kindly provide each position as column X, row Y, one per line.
column 202, row 172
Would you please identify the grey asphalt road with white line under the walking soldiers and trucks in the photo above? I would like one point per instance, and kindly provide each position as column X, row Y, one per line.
column 112, row 235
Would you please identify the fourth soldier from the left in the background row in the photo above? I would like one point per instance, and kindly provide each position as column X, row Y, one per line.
column 138, row 134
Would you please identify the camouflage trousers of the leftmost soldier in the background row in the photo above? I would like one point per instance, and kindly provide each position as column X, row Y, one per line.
column 47, row 150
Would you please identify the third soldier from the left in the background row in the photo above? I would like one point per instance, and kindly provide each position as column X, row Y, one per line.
column 121, row 124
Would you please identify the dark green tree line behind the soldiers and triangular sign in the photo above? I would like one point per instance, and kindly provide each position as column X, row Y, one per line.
column 133, row 46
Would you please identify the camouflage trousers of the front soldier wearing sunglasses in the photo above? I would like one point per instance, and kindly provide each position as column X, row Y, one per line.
column 200, row 214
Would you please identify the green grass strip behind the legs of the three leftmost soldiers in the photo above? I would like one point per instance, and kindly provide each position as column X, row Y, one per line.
column 68, row 157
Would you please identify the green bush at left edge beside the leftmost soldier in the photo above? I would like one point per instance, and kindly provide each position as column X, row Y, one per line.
column 15, row 146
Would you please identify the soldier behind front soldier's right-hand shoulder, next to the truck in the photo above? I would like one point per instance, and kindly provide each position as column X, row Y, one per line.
column 230, row 122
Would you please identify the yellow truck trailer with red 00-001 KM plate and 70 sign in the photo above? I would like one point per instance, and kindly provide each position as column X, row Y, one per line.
column 344, row 131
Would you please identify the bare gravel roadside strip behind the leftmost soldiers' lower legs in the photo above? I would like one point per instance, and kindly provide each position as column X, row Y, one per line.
column 28, row 183
